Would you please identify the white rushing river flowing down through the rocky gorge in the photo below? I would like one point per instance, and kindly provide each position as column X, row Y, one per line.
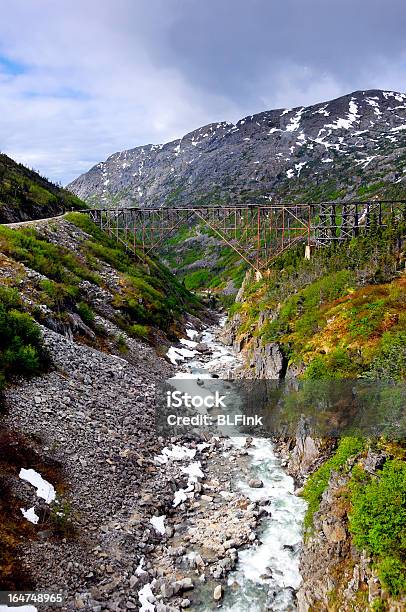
column 267, row 573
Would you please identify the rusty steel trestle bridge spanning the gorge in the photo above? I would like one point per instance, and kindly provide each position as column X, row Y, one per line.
column 258, row 233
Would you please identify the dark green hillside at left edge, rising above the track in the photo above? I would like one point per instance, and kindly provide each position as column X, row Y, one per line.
column 24, row 194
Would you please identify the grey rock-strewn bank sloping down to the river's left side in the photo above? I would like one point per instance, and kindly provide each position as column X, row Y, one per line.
column 92, row 417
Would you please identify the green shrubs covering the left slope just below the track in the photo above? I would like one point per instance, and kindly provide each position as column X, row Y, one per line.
column 148, row 294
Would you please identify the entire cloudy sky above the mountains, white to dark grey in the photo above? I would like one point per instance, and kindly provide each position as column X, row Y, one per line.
column 81, row 79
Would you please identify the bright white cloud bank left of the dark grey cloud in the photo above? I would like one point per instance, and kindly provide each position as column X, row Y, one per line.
column 88, row 90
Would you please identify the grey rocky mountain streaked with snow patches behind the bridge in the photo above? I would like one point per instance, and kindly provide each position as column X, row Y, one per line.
column 350, row 147
